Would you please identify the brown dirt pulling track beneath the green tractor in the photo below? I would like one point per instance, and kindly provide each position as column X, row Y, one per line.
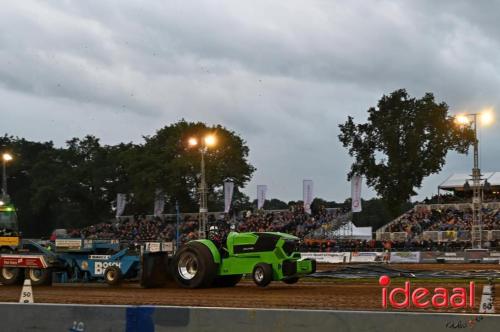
column 307, row 294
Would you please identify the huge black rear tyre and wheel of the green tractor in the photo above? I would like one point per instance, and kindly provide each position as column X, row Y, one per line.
column 193, row 266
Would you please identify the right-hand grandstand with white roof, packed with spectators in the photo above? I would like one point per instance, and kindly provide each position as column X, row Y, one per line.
column 448, row 218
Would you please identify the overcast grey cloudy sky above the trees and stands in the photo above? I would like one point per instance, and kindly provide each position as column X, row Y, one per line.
column 282, row 74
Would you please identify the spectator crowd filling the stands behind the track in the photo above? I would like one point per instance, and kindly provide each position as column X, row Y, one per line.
column 295, row 221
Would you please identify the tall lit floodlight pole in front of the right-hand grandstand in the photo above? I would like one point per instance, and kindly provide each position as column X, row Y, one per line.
column 486, row 118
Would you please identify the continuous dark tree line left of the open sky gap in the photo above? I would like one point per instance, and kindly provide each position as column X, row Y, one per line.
column 76, row 185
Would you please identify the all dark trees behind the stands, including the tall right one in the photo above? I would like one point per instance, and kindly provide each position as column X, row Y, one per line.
column 404, row 140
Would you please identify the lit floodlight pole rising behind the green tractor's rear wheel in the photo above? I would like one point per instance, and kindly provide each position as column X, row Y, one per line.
column 206, row 142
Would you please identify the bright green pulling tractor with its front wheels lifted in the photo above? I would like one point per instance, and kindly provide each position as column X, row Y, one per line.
column 266, row 256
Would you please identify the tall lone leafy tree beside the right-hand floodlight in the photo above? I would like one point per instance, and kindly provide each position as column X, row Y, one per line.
column 404, row 140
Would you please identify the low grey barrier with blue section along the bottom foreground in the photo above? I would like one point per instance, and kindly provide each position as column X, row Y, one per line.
column 95, row 318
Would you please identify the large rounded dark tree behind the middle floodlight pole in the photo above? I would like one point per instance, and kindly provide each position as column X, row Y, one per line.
column 166, row 162
